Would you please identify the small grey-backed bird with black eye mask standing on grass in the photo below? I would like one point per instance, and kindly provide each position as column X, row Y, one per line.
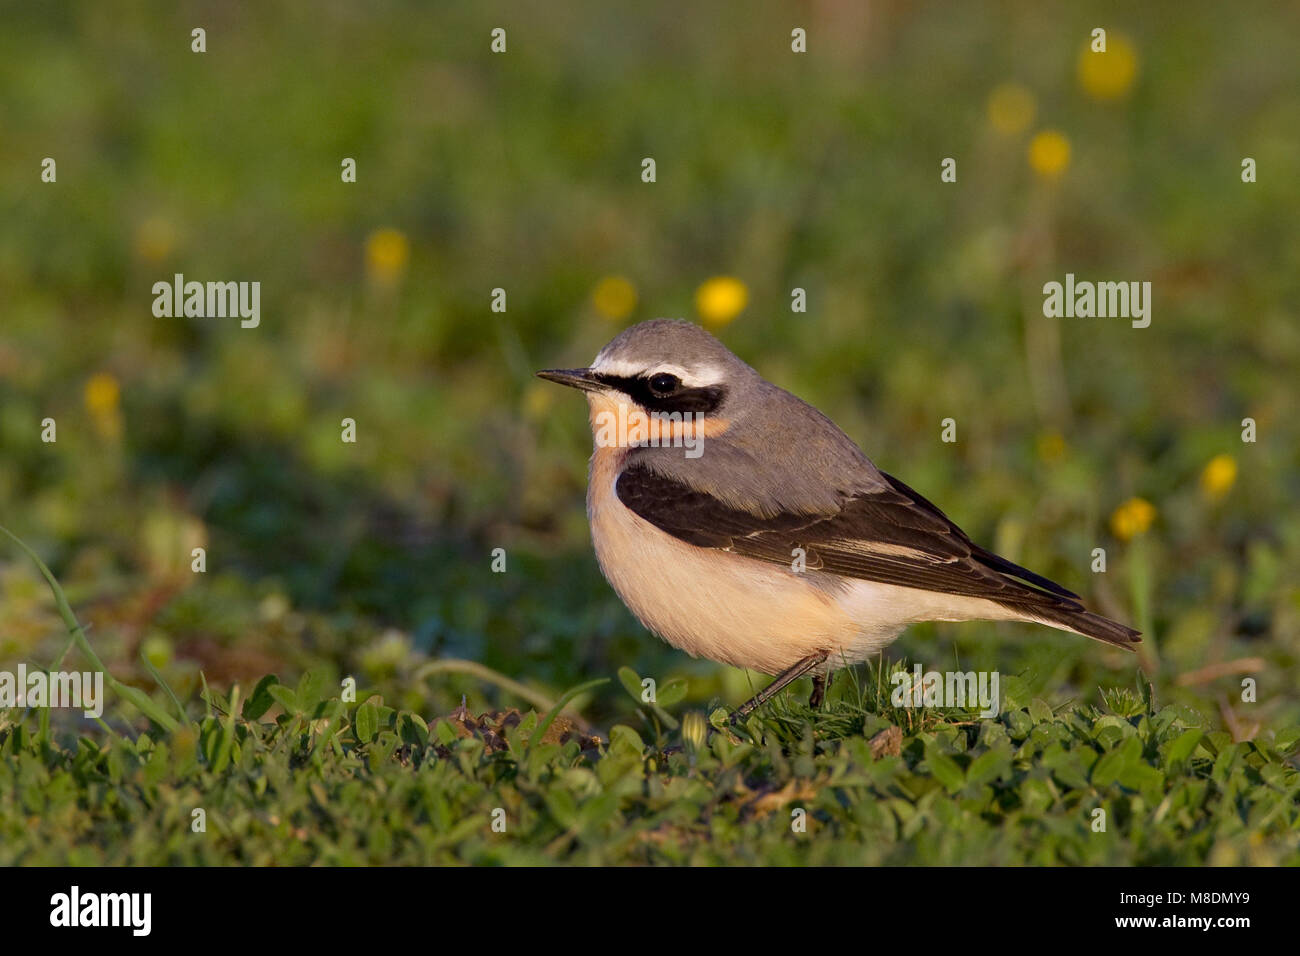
column 742, row 525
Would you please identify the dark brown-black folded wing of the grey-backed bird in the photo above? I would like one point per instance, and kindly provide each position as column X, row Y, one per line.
column 894, row 537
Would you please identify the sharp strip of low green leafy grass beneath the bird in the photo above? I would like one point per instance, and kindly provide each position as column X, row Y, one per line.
column 296, row 776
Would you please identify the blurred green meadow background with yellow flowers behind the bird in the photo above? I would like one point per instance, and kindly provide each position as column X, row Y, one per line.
column 522, row 171
